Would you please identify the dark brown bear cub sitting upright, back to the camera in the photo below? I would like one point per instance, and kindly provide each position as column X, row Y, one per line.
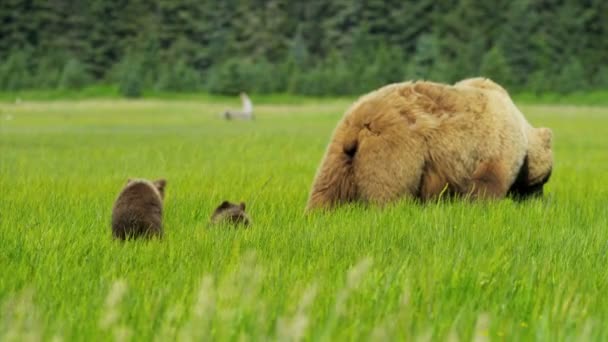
column 138, row 210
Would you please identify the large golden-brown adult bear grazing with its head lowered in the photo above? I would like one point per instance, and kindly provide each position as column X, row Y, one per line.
column 424, row 139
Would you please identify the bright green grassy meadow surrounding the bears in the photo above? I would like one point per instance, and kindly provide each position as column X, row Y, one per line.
column 457, row 271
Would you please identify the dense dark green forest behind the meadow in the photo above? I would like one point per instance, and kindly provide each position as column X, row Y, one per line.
column 336, row 47
